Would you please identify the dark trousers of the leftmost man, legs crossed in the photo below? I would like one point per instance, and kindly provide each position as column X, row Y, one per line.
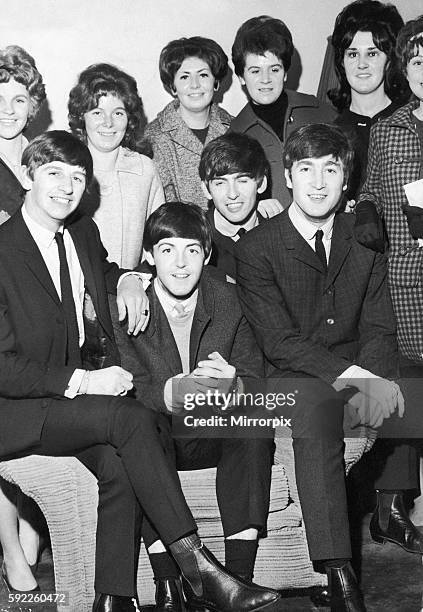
column 133, row 464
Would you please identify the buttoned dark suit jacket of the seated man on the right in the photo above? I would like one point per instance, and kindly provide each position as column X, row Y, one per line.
column 310, row 322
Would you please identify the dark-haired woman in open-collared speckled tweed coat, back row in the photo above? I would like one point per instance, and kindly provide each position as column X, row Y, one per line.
column 191, row 70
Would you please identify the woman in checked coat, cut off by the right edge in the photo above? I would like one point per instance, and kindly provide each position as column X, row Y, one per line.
column 396, row 159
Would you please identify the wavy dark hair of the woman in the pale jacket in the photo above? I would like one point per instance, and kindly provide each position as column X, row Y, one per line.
column 101, row 80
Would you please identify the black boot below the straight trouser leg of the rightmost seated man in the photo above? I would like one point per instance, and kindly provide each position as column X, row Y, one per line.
column 345, row 592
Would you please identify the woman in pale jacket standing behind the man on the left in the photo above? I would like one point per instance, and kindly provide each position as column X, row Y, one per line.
column 106, row 112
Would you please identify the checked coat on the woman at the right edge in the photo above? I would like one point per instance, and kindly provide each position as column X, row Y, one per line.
column 395, row 158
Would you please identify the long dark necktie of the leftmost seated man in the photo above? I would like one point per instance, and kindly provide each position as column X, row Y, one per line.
column 73, row 352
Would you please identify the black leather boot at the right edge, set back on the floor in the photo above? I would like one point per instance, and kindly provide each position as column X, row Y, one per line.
column 393, row 525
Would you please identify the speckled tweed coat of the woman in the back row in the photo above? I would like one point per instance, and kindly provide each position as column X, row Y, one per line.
column 177, row 151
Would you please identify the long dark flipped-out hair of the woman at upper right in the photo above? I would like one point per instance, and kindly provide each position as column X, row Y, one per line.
column 384, row 22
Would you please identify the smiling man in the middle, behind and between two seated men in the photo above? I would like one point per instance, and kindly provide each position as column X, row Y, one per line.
column 233, row 170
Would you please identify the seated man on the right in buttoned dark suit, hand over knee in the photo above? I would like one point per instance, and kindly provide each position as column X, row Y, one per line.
column 319, row 305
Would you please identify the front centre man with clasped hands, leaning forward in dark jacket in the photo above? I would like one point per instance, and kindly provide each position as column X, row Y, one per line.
column 198, row 340
